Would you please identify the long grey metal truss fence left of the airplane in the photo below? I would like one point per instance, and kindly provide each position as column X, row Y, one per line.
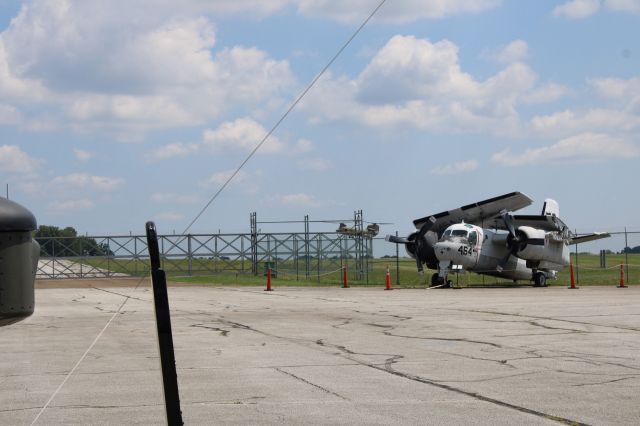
column 302, row 255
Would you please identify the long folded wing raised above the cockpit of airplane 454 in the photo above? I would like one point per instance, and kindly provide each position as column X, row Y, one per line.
column 480, row 213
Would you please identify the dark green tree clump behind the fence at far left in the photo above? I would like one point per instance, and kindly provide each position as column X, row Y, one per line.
column 66, row 243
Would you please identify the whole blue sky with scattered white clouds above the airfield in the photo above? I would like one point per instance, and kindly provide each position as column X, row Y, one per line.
column 115, row 113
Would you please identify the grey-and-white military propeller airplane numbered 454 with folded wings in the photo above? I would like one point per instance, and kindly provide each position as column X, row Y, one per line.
column 534, row 247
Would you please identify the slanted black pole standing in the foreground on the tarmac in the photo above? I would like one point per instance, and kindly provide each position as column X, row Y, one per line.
column 165, row 337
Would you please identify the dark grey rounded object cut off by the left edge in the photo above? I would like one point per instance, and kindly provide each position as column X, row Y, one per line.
column 19, row 255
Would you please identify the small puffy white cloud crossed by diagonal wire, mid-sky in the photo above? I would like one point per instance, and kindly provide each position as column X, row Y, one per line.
column 242, row 134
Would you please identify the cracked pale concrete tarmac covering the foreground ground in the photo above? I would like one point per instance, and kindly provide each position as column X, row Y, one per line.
column 357, row 356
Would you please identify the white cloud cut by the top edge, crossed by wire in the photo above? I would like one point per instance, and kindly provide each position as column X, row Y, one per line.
column 397, row 11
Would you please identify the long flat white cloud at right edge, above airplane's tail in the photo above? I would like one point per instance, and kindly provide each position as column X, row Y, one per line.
column 592, row 147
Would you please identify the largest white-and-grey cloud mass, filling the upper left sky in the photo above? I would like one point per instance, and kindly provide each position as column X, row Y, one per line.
column 97, row 70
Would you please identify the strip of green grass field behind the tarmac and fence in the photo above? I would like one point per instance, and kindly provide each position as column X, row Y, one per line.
column 403, row 272
